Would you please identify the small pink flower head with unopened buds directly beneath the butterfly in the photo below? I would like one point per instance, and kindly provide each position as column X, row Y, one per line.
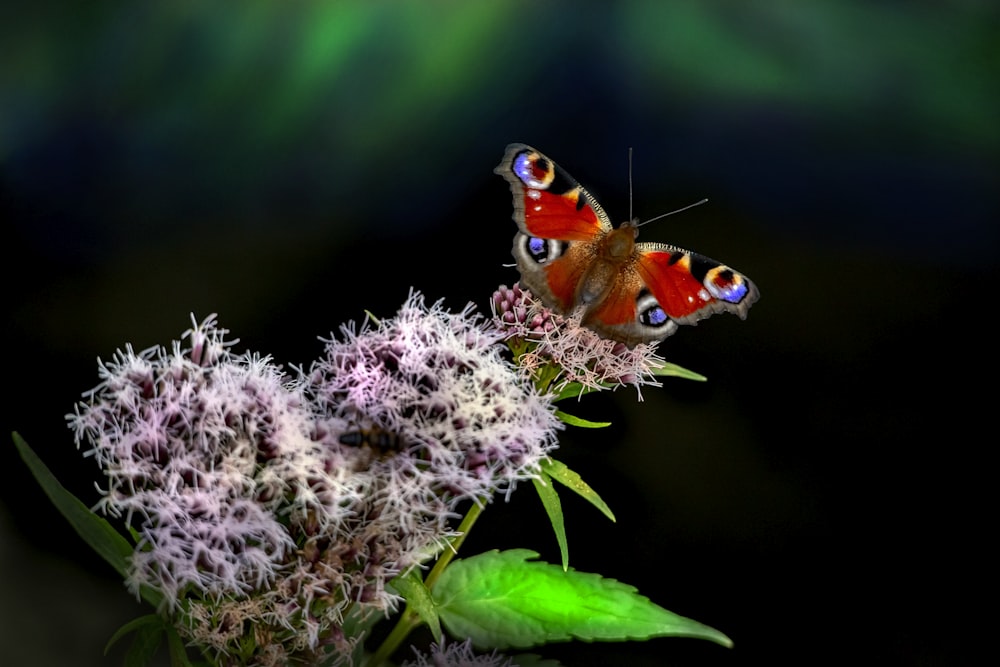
column 561, row 355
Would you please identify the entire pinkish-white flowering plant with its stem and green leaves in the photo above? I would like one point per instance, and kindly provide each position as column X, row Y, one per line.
column 276, row 515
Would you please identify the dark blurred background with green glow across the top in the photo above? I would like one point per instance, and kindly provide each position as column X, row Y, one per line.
column 824, row 498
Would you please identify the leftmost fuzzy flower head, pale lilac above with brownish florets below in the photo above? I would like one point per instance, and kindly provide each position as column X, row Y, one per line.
column 211, row 454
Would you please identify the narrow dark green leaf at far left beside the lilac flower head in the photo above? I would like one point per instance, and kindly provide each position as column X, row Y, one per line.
column 95, row 531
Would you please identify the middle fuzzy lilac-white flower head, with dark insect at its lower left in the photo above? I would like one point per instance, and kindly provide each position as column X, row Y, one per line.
column 464, row 422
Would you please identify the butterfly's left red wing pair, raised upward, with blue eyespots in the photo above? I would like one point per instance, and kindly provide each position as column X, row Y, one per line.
column 560, row 225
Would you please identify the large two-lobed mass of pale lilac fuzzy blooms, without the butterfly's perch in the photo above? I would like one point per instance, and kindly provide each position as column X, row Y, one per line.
column 279, row 504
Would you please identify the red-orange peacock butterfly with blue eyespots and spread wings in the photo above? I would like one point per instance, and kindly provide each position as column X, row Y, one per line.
column 571, row 257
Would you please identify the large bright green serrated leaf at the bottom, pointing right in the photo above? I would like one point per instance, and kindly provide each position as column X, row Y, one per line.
column 501, row 600
